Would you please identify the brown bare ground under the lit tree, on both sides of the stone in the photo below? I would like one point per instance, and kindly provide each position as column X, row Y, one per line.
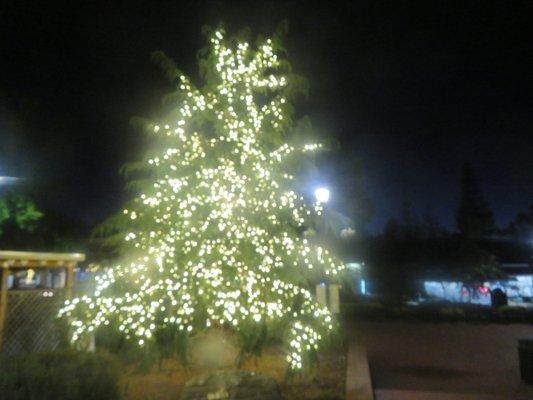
column 326, row 382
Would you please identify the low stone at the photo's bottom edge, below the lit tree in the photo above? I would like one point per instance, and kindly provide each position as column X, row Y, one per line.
column 231, row 385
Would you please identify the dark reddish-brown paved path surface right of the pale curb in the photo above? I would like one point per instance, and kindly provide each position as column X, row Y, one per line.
column 441, row 361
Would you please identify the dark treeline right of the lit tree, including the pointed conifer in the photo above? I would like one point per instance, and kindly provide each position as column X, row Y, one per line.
column 415, row 246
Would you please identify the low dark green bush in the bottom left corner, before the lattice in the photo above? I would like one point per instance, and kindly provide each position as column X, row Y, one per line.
column 65, row 375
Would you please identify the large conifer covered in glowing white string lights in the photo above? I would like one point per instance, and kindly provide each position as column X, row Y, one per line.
column 216, row 233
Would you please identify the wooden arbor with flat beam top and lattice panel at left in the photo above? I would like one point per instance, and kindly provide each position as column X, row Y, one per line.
column 41, row 266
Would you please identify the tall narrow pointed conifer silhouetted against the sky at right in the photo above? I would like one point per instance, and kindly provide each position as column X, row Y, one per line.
column 474, row 217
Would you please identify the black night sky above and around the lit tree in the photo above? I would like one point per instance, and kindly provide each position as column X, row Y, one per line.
column 411, row 92
